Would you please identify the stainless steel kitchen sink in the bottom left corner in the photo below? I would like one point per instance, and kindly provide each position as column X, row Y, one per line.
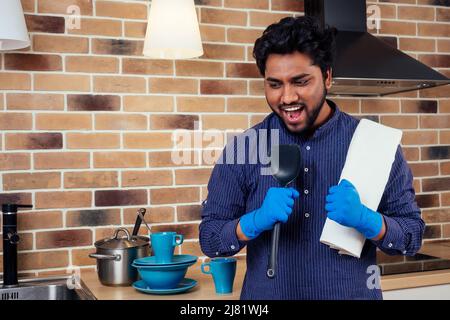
column 52, row 288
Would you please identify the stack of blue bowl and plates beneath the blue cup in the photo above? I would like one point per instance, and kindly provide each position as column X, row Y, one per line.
column 164, row 278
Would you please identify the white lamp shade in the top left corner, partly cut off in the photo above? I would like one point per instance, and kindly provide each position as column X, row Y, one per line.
column 13, row 29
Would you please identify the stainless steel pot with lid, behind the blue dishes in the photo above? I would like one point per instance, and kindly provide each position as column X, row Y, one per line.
column 115, row 256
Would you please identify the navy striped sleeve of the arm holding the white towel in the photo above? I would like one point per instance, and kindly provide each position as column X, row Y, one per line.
column 402, row 216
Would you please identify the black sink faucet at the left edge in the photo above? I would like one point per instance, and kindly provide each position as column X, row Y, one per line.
column 10, row 241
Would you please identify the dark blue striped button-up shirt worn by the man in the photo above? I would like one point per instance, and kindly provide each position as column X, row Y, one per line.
column 307, row 269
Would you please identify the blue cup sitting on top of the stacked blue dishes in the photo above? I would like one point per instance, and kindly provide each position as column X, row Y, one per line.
column 163, row 245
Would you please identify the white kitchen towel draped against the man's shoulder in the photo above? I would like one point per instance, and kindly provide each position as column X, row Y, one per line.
column 367, row 166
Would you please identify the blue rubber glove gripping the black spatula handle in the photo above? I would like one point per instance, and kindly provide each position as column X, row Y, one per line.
column 277, row 207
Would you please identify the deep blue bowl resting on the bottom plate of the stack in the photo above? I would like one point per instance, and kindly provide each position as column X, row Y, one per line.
column 163, row 277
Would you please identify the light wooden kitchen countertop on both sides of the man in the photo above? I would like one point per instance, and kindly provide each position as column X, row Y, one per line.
column 205, row 287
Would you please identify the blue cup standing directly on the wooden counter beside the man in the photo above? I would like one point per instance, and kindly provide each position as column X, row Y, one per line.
column 223, row 271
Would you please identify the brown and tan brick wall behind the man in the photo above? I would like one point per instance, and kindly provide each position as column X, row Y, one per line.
column 86, row 122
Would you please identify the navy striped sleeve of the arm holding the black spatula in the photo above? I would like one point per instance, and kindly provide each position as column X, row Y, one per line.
column 222, row 210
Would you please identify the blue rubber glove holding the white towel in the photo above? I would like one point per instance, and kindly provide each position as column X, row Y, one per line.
column 344, row 206
